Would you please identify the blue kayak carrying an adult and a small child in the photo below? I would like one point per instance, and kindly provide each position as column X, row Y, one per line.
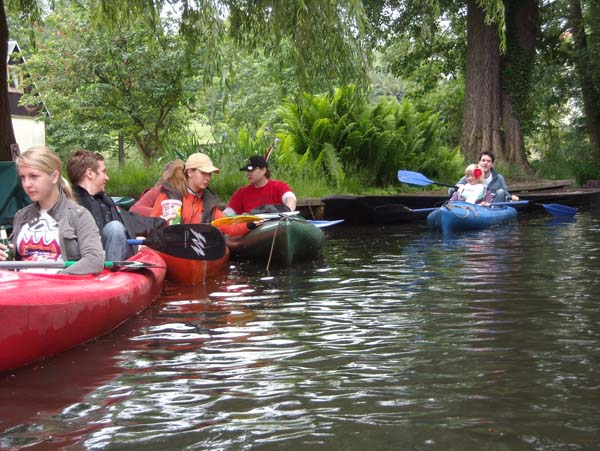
column 458, row 216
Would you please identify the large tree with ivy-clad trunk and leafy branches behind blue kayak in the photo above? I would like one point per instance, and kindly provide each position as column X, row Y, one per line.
column 497, row 60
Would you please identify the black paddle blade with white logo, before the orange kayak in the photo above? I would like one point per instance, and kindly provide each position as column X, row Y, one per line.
column 191, row 241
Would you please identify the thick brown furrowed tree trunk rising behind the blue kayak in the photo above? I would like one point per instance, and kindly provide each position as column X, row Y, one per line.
column 482, row 111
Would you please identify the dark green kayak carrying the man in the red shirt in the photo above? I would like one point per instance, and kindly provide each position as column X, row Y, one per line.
column 284, row 241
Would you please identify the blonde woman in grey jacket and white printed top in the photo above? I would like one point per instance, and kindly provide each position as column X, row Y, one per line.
column 53, row 227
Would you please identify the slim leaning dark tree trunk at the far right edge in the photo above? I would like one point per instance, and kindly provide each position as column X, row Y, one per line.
column 589, row 91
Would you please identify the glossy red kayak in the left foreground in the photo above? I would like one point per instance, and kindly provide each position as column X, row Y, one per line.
column 44, row 314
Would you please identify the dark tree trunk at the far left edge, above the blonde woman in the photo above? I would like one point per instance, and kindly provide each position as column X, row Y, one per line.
column 8, row 143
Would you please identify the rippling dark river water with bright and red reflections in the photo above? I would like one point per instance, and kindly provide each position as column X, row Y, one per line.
column 396, row 340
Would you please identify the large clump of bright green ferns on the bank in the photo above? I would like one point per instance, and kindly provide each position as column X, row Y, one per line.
column 369, row 142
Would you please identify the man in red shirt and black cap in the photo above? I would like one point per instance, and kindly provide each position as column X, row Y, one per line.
column 261, row 191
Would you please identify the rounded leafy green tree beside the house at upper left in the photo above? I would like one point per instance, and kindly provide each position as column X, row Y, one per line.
column 112, row 81
